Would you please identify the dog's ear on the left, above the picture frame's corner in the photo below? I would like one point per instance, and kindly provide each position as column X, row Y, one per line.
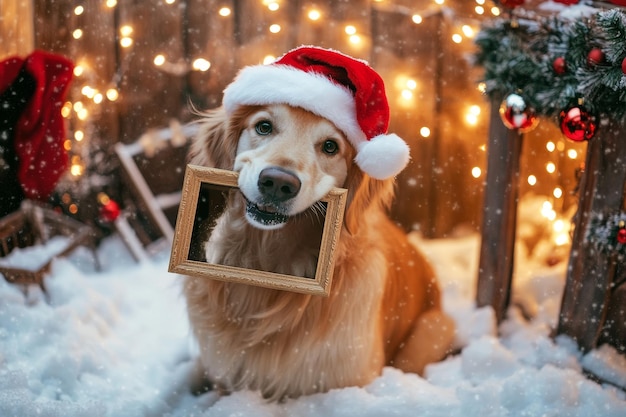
column 213, row 145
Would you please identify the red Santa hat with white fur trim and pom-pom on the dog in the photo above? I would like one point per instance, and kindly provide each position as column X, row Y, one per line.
column 344, row 90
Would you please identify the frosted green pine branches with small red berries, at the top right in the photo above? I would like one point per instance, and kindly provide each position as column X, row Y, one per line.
column 518, row 56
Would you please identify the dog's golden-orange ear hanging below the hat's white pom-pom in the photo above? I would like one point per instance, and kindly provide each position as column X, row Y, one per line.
column 365, row 193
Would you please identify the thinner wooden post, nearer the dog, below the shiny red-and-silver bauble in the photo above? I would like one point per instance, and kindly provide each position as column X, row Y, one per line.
column 499, row 215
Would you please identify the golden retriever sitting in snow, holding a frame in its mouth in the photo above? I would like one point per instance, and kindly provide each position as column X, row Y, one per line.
column 384, row 305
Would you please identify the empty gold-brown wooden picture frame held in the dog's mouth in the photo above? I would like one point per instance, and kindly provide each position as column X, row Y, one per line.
column 181, row 259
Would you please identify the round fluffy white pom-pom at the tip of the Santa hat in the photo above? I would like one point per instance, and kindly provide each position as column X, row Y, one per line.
column 383, row 156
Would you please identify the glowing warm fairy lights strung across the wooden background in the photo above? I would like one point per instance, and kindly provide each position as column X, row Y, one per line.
column 93, row 91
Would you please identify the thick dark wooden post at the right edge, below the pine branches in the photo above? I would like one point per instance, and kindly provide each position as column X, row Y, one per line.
column 590, row 273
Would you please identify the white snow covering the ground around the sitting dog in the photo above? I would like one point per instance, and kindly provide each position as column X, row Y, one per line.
column 116, row 343
